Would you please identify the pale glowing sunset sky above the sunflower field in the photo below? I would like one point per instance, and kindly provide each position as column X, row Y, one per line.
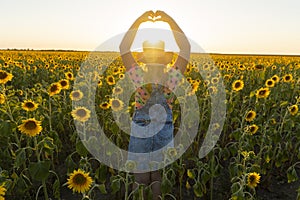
column 217, row 26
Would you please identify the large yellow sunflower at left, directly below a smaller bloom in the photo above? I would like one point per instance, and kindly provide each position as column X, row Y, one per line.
column 30, row 127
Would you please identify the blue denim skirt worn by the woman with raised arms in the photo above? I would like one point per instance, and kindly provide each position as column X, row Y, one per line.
column 145, row 150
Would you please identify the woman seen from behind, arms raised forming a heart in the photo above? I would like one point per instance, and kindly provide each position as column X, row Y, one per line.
column 152, row 121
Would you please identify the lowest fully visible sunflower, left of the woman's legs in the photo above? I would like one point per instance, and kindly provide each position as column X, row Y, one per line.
column 79, row 181
